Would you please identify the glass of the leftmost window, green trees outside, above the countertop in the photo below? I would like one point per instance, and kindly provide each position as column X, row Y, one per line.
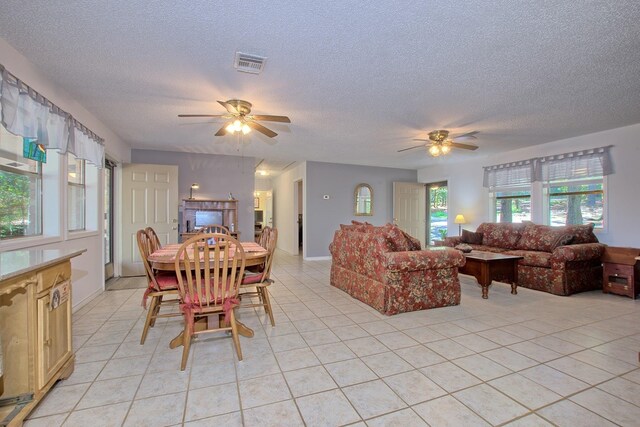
column 20, row 190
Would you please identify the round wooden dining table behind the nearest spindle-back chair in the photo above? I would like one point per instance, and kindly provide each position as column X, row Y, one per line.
column 164, row 259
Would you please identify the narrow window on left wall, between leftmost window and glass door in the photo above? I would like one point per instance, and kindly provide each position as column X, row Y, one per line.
column 76, row 194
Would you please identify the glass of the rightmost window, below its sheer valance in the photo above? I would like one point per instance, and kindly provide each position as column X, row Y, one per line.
column 576, row 204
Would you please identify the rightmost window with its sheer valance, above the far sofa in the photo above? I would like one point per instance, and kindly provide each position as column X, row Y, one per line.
column 574, row 186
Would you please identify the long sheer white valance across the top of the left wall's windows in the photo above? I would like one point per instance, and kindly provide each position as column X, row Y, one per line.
column 26, row 113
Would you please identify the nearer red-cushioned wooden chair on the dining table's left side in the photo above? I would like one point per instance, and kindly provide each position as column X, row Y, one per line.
column 159, row 285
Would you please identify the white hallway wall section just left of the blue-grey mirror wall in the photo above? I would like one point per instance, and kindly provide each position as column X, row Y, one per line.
column 284, row 210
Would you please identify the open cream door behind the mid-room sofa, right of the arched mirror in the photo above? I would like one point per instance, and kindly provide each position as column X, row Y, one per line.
column 409, row 208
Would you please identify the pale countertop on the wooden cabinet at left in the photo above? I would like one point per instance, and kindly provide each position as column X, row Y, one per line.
column 14, row 263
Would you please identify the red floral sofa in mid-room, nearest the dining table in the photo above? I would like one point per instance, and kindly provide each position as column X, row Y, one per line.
column 385, row 268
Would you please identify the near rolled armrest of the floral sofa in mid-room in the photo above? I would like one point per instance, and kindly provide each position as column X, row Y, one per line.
column 423, row 260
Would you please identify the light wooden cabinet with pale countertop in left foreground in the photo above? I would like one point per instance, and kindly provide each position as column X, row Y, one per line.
column 35, row 328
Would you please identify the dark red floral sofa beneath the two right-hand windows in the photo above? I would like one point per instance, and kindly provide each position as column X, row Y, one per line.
column 559, row 260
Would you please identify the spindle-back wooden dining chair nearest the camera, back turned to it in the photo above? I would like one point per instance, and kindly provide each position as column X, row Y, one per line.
column 209, row 268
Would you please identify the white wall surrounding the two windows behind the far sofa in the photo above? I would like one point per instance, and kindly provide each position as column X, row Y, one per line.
column 467, row 196
